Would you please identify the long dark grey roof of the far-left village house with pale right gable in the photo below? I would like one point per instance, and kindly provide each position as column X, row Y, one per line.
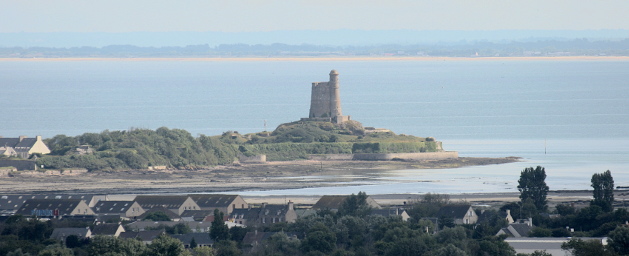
column 47, row 207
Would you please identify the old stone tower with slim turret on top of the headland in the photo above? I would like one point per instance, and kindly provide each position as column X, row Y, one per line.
column 325, row 102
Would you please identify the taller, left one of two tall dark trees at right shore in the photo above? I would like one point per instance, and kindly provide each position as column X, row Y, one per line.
column 532, row 185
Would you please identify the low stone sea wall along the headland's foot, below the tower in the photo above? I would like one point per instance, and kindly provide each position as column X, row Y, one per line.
column 387, row 156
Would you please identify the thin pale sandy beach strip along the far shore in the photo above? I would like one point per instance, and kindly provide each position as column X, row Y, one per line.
column 329, row 58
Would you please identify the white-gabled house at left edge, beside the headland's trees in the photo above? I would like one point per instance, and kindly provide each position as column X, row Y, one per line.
column 23, row 146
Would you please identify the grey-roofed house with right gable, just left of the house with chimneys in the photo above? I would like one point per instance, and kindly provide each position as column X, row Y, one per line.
column 224, row 203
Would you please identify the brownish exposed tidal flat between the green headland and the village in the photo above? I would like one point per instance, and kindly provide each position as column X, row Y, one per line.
column 226, row 178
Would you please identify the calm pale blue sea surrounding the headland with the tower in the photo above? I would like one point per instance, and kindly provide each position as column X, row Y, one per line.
column 569, row 116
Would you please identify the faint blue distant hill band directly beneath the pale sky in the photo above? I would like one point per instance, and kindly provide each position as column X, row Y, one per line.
column 302, row 37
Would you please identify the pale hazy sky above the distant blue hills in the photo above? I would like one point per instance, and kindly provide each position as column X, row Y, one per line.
column 272, row 15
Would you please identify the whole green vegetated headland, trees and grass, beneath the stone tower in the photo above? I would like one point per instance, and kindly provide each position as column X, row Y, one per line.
column 142, row 148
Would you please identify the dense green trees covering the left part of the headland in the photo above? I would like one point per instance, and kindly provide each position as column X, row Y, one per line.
column 137, row 149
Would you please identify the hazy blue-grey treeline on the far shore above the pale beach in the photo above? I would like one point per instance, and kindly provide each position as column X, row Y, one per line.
column 575, row 47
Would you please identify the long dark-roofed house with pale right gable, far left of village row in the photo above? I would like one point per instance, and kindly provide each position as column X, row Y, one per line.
column 54, row 208
